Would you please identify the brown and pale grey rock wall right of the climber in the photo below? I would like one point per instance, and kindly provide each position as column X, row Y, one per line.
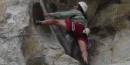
column 112, row 27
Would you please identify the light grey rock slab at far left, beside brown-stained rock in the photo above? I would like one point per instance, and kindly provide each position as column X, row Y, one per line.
column 16, row 19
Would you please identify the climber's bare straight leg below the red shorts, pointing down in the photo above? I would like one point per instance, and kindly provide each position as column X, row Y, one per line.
column 83, row 48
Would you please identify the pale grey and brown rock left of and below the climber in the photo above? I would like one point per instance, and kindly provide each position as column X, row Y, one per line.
column 15, row 32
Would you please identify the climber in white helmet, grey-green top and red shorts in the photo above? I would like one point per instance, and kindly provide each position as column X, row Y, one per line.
column 74, row 21
